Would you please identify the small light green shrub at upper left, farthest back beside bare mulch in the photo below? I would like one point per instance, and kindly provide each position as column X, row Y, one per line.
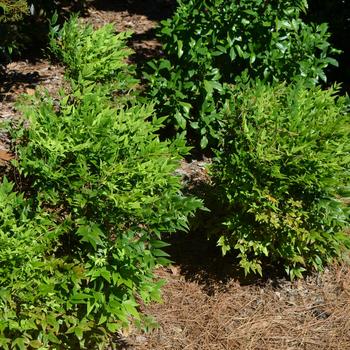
column 93, row 56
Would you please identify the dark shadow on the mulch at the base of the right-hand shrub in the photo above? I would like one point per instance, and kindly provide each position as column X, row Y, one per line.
column 201, row 260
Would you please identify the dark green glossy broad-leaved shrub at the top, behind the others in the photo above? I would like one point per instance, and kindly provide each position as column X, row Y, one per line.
column 213, row 42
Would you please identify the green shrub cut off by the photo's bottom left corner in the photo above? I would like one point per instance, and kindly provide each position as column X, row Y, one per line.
column 33, row 281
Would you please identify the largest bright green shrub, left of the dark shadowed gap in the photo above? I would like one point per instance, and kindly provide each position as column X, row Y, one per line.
column 111, row 183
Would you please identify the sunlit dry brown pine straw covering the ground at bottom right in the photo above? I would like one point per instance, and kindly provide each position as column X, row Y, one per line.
column 309, row 314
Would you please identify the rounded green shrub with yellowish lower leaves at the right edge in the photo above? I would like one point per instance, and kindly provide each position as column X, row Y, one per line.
column 286, row 155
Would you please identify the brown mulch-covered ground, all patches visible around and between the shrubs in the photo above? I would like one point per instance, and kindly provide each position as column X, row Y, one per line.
column 207, row 304
